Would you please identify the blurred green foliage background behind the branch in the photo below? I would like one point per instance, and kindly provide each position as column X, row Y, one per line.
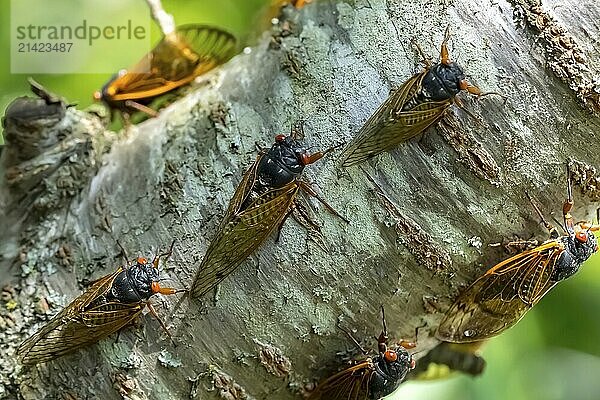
column 554, row 353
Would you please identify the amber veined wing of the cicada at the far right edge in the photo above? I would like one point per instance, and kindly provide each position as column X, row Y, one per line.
column 501, row 297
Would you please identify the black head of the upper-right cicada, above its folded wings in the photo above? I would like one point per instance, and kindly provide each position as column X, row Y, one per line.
column 444, row 81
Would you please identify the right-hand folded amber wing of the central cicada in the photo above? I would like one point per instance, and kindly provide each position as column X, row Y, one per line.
column 240, row 235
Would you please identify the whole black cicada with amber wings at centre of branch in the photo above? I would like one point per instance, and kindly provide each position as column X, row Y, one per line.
column 266, row 196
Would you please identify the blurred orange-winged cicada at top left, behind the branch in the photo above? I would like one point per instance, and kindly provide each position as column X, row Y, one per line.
column 181, row 56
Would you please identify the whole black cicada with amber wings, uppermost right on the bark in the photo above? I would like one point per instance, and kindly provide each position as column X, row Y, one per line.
column 419, row 103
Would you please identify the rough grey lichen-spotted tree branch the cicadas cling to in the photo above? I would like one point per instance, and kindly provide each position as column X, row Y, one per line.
column 70, row 190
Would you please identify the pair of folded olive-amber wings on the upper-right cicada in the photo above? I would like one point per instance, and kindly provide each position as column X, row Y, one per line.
column 390, row 126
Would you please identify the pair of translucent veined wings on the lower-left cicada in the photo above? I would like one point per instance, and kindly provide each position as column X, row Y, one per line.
column 79, row 324
